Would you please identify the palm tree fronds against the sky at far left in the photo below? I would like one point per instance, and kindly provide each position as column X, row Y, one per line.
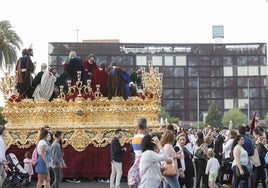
column 10, row 42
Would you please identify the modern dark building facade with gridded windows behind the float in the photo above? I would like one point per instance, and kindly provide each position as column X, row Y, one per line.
column 233, row 75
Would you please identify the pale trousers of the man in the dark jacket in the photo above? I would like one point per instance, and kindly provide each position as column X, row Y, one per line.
column 116, row 174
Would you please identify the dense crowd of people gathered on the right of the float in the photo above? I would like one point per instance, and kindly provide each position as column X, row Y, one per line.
column 204, row 158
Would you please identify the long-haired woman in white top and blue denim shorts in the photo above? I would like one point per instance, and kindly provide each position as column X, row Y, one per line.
column 44, row 159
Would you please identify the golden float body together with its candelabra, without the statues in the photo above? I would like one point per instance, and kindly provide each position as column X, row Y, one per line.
column 83, row 120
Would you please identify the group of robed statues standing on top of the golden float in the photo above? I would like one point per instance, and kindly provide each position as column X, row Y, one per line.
column 111, row 80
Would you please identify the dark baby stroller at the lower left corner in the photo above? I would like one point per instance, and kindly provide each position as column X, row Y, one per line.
column 19, row 177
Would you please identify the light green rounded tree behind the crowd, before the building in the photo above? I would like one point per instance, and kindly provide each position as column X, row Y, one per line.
column 236, row 116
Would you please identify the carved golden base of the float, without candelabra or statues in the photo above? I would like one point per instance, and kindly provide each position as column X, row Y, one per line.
column 82, row 122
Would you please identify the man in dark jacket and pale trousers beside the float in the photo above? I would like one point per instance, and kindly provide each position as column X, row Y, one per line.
column 116, row 159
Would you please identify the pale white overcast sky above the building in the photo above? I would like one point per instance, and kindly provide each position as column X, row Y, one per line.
column 141, row 21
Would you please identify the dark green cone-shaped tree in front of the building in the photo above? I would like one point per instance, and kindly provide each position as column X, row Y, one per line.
column 214, row 117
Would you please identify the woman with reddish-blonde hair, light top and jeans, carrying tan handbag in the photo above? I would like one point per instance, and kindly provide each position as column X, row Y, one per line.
column 167, row 142
